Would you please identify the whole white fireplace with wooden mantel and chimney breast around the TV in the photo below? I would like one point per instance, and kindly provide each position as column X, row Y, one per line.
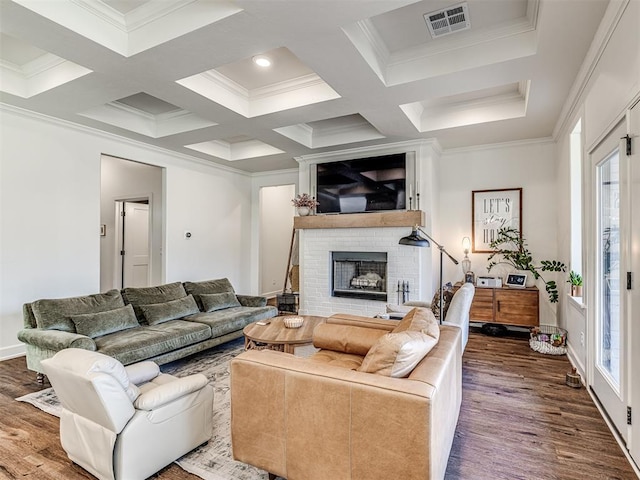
column 364, row 233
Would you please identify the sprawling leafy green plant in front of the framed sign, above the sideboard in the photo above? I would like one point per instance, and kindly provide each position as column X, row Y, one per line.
column 510, row 248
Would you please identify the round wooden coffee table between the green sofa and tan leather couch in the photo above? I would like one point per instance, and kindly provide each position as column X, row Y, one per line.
column 275, row 336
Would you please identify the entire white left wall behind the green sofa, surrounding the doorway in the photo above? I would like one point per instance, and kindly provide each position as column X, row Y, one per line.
column 50, row 215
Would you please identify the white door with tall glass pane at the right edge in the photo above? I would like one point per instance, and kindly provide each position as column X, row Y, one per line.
column 608, row 307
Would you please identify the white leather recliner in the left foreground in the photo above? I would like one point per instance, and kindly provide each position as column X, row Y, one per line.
column 126, row 423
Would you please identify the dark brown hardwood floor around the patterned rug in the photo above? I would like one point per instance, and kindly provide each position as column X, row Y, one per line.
column 518, row 421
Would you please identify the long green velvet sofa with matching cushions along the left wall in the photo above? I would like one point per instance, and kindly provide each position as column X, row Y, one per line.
column 161, row 323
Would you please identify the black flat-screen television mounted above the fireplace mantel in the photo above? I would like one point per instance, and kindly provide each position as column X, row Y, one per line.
column 362, row 185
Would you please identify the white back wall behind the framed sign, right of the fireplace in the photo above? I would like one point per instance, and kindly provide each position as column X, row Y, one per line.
column 529, row 165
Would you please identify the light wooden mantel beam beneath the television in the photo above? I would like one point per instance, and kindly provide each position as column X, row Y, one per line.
column 362, row 220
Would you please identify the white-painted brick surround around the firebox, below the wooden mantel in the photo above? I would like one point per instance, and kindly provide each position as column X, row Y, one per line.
column 404, row 264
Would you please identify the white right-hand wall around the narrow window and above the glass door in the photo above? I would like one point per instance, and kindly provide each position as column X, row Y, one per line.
column 609, row 84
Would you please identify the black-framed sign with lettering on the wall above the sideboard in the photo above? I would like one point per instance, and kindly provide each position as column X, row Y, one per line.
column 491, row 211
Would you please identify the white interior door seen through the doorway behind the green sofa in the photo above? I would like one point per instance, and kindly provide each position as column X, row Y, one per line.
column 135, row 266
